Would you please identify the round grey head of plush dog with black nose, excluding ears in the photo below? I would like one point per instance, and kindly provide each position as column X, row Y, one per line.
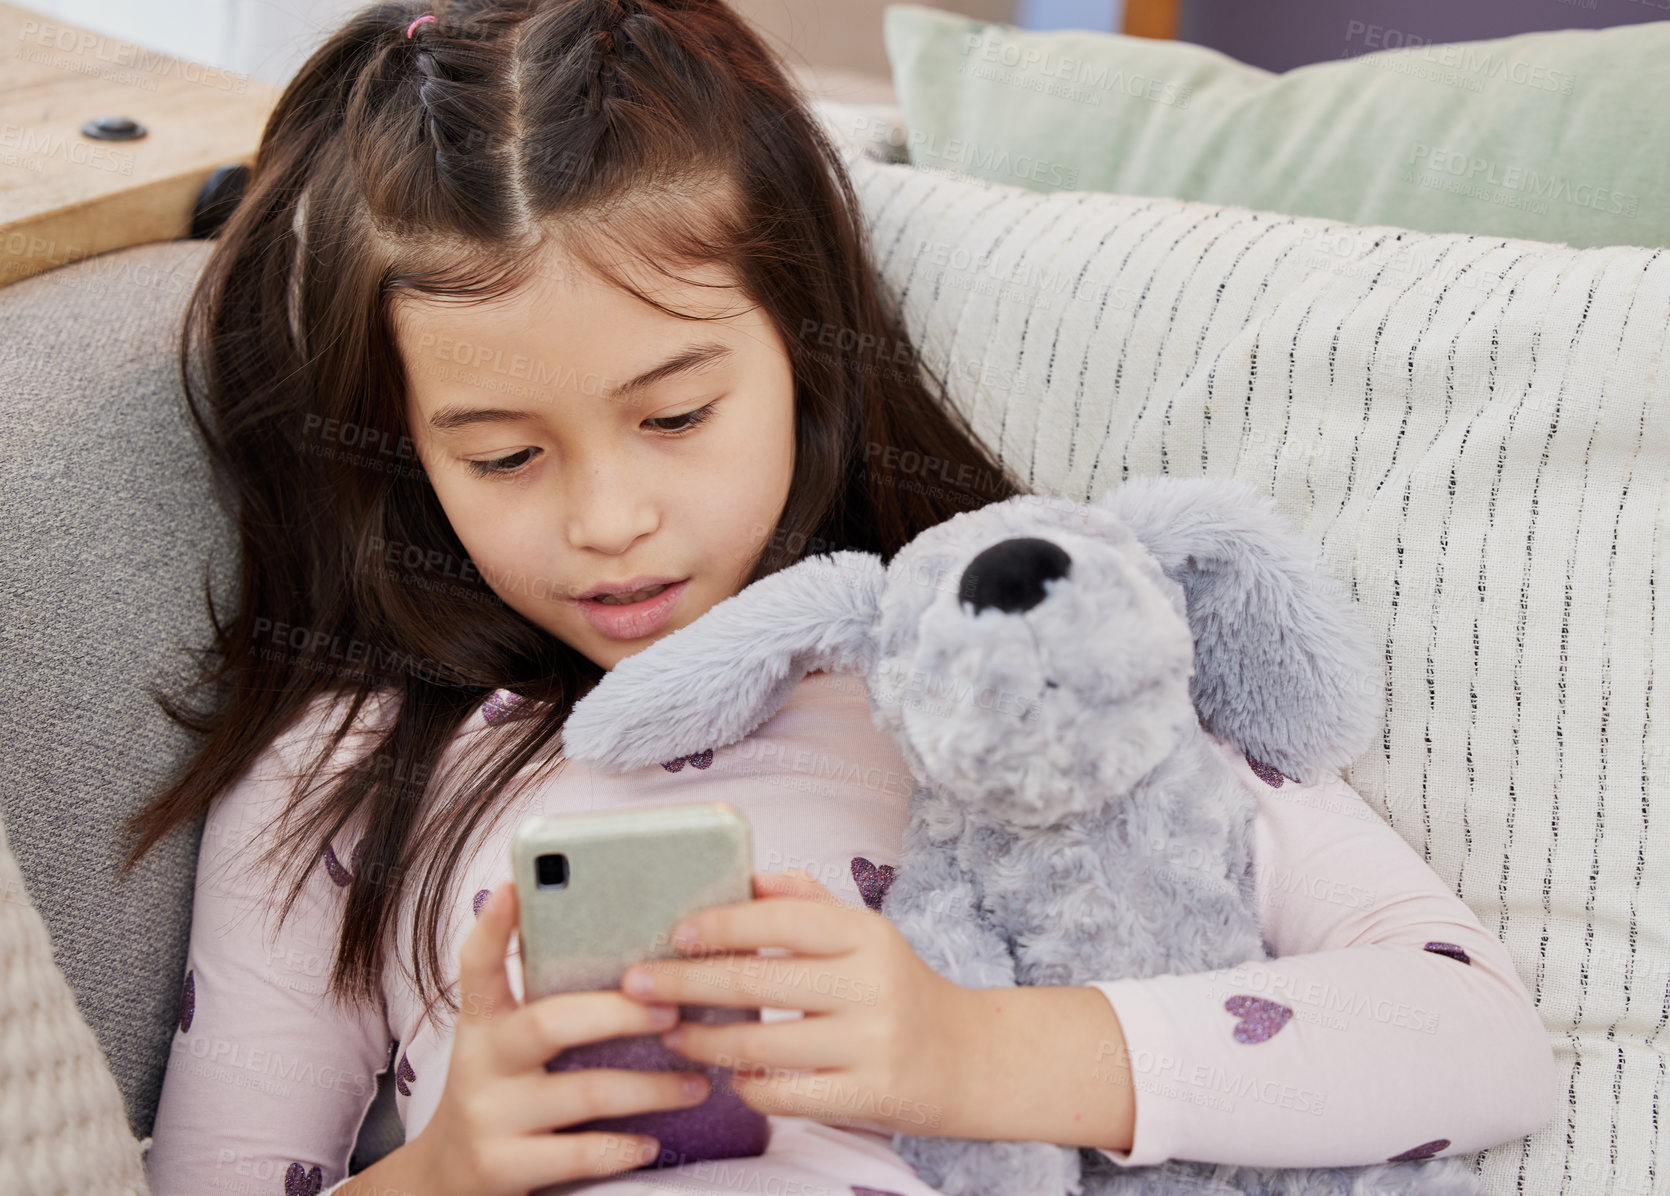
column 1031, row 657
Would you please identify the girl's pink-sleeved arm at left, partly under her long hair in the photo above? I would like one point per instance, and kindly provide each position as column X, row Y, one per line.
column 268, row 1082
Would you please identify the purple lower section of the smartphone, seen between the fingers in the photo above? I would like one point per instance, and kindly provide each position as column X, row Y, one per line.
column 719, row 1128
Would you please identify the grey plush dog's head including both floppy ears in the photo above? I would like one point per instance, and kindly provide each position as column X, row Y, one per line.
column 1035, row 656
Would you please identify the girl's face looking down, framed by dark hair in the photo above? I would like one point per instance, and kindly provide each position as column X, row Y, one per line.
column 579, row 438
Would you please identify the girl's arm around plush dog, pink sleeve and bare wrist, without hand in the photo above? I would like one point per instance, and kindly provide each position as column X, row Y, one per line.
column 1390, row 1025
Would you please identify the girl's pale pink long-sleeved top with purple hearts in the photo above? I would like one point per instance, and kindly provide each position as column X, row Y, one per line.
column 1390, row 1025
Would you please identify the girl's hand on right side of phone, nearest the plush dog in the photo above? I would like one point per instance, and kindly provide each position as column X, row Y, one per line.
column 884, row 1036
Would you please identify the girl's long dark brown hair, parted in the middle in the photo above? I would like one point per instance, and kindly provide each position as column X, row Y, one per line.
column 435, row 166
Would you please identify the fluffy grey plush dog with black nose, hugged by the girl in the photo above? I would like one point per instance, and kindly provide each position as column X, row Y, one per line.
column 1051, row 672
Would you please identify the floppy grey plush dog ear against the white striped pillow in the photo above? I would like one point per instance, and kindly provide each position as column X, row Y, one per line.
column 1283, row 667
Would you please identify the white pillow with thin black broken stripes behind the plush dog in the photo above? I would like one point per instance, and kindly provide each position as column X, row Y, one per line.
column 1479, row 433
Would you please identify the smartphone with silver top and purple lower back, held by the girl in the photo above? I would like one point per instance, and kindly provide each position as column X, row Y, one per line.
column 604, row 891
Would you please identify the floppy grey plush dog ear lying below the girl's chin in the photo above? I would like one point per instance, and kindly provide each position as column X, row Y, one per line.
column 716, row 681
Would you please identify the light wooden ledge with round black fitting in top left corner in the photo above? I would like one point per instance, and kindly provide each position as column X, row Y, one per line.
column 66, row 196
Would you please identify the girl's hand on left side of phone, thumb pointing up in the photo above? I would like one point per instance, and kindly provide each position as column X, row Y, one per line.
column 492, row 1132
